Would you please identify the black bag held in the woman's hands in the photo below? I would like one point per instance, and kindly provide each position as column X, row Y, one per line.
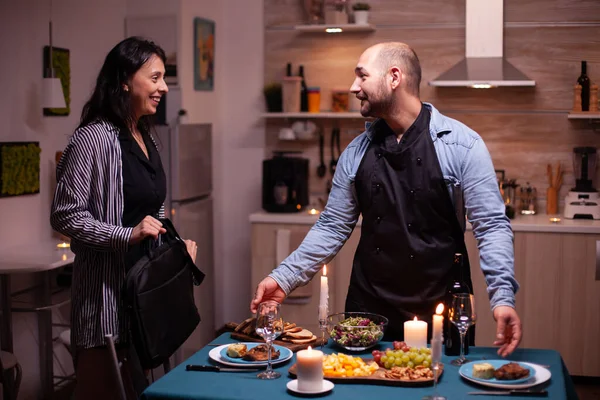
column 159, row 291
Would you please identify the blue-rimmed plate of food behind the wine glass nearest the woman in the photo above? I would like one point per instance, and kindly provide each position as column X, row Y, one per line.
column 249, row 354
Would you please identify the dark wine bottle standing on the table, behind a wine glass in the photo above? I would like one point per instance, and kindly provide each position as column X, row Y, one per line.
column 459, row 285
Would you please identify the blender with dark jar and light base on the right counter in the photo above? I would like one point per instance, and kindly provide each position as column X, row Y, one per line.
column 583, row 201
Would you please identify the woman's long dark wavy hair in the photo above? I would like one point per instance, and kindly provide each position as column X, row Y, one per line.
column 109, row 100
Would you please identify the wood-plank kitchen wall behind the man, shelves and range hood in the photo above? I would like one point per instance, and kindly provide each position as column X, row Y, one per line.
column 523, row 128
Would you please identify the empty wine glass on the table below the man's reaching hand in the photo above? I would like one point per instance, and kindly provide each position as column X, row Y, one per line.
column 269, row 325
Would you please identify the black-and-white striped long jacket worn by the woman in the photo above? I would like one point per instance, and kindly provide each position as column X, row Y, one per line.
column 88, row 208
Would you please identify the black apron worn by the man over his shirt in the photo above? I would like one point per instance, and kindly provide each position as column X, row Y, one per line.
column 403, row 264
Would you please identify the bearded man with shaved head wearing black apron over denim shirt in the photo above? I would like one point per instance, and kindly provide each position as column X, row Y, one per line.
column 412, row 175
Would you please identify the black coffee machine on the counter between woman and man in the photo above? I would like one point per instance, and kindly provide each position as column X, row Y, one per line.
column 285, row 183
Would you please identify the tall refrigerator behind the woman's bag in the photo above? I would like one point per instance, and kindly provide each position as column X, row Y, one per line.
column 187, row 159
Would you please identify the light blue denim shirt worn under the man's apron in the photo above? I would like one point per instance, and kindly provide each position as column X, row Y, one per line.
column 469, row 175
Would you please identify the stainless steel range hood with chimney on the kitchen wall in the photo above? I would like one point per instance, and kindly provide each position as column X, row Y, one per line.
column 484, row 65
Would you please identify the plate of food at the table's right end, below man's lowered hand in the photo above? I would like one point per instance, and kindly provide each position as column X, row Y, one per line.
column 504, row 374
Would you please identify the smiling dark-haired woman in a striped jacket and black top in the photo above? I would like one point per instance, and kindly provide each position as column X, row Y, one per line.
column 110, row 192
